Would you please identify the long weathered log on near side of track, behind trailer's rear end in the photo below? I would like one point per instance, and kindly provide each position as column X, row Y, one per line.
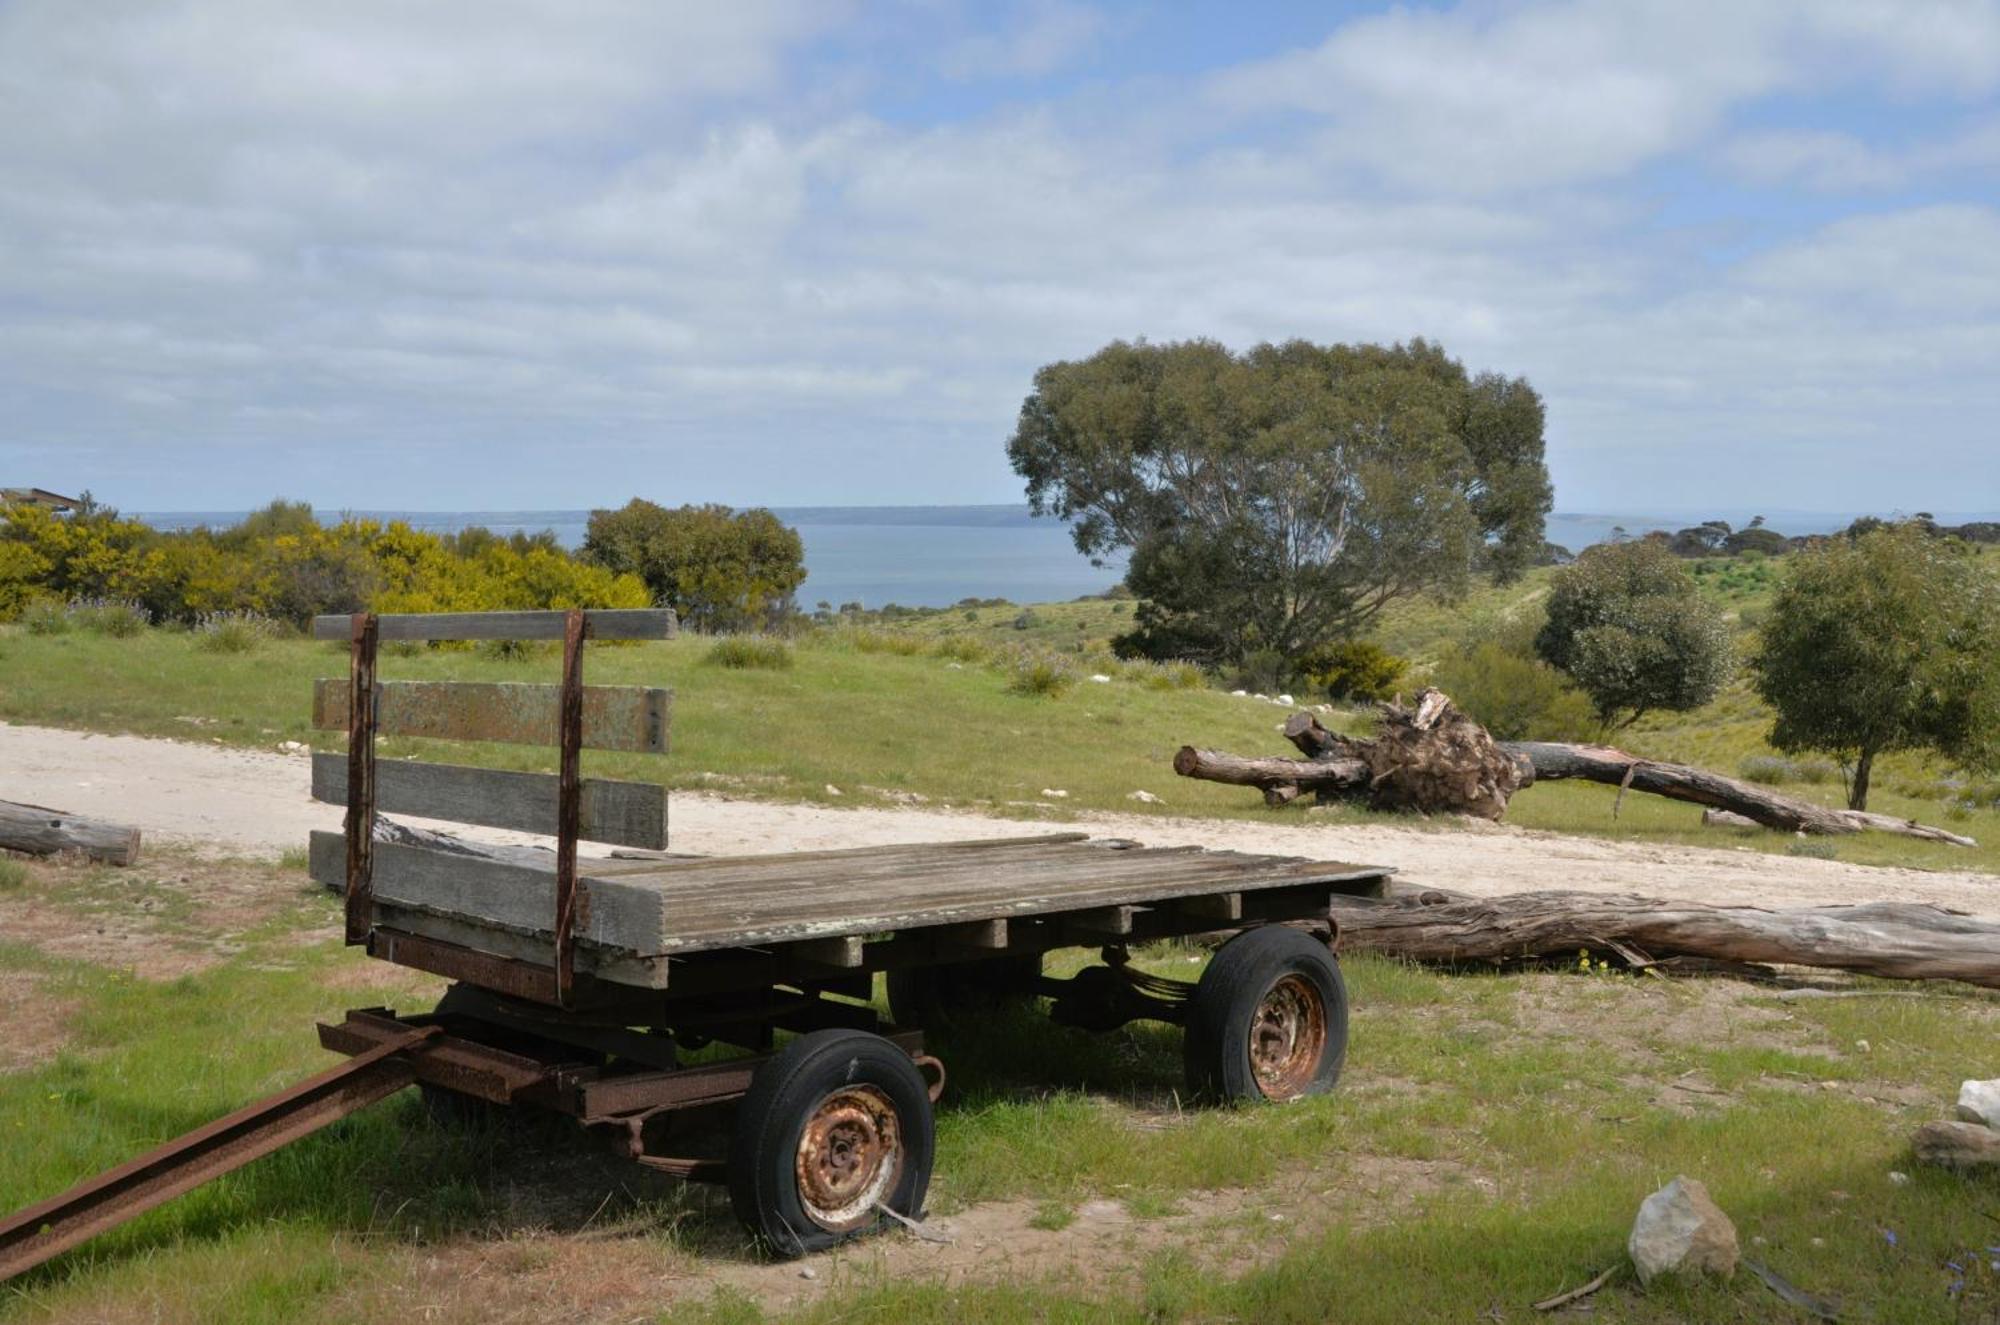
column 1907, row 942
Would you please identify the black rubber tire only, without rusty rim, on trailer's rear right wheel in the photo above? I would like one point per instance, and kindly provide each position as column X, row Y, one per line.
column 1225, row 1008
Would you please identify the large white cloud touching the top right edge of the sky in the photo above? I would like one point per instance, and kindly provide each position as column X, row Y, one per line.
column 1519, row 97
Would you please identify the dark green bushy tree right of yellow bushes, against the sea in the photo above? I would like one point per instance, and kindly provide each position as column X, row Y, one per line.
column 721, row 569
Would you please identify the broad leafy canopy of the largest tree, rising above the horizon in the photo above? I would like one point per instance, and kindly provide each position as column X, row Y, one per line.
column 1281, row 497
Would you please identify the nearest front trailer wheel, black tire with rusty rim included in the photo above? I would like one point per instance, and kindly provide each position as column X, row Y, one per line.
column 835, row 1126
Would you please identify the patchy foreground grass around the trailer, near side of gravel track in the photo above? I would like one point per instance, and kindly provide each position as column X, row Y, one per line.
column 1487, row 1150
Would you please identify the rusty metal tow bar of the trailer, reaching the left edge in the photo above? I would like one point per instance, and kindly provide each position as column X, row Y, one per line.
column 159, row 1176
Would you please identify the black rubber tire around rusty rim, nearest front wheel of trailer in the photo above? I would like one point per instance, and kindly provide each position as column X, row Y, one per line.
column 773, row 1118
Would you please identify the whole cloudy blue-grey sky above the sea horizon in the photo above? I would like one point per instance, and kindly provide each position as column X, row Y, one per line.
column 505, row 255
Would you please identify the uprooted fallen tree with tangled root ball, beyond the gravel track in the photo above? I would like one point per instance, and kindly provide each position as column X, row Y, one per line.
column 1435, row 760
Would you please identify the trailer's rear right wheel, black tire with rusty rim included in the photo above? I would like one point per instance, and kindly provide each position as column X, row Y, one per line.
column 1269, row 1020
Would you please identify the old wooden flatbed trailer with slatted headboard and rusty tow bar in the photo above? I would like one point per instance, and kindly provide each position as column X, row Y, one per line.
column 581, row 982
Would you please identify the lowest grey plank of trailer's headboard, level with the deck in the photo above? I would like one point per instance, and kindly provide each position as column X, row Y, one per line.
column 521, row 898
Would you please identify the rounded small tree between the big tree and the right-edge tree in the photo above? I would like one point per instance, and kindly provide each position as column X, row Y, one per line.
column 1629, row 625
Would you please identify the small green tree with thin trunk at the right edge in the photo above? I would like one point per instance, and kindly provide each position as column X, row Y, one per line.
column 1885, row 641
